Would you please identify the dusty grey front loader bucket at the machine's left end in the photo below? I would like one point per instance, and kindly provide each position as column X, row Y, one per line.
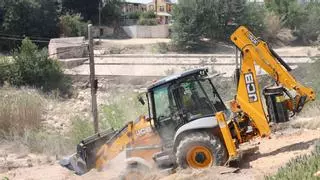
column 85, row 158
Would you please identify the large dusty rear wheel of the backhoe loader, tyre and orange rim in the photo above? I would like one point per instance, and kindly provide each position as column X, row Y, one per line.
column 200, row 150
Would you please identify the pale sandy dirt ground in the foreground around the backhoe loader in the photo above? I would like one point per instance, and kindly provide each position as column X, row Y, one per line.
column 273, row 153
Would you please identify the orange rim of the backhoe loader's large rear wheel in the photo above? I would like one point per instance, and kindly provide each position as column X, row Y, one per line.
column 199, row 157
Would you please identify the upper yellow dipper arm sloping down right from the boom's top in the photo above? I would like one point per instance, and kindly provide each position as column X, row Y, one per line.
column 268, row 60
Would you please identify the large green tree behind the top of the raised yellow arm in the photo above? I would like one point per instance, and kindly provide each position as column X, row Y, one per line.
column 195, row 19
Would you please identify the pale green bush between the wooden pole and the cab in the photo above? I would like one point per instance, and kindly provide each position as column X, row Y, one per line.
column 121, row 109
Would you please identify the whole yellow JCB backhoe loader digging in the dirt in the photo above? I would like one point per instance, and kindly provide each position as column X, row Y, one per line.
column 189, row 126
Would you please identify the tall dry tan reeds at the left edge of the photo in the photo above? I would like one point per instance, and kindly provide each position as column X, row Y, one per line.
column 20, row 110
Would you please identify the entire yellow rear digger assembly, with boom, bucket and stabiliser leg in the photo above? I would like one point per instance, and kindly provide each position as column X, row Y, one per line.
column 251, row 119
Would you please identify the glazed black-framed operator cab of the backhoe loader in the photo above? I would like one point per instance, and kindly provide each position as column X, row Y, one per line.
column 182, row 98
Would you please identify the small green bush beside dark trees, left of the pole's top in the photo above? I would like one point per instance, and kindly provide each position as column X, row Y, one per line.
column 71, row 25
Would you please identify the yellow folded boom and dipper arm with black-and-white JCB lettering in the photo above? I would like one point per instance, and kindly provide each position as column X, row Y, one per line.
column 257, row 52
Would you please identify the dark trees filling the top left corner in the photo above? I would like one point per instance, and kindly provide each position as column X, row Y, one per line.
column 37, row 18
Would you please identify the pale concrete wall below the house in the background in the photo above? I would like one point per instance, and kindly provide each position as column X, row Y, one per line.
column 159, row 31
